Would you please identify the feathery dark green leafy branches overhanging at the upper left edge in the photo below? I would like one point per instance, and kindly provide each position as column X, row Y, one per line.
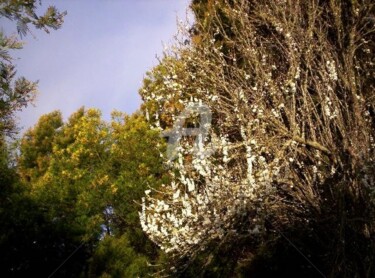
column 16, row 94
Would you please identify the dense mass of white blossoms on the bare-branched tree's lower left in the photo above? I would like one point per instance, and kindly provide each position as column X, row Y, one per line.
column 205, row 195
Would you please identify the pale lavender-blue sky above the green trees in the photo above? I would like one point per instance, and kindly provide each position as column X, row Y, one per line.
column 99, row 57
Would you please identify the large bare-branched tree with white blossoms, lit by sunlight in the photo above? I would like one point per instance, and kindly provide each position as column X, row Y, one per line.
column 290, row 88
